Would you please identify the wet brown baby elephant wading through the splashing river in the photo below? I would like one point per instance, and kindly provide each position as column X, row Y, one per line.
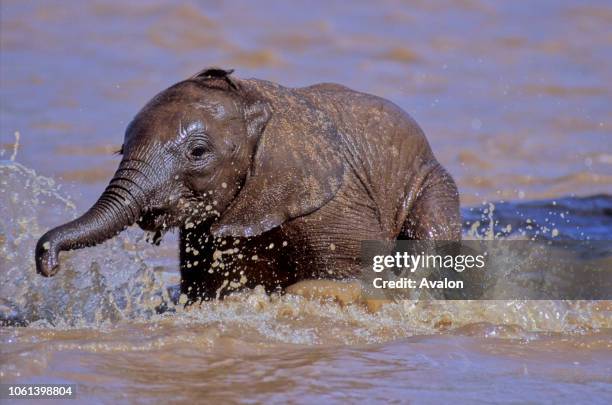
column 268, row 185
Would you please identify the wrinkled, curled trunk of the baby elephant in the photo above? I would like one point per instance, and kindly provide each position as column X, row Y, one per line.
column 119, row 206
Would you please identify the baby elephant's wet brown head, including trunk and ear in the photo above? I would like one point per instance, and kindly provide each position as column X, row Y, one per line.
column 210, row 148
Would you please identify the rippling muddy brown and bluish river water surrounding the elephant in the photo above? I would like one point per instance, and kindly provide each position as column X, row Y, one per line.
column 514, row 97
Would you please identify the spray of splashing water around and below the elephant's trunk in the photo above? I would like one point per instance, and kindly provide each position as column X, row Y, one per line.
column 107, row 284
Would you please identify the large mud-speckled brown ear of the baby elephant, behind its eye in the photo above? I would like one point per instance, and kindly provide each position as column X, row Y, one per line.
column 296, row 169
